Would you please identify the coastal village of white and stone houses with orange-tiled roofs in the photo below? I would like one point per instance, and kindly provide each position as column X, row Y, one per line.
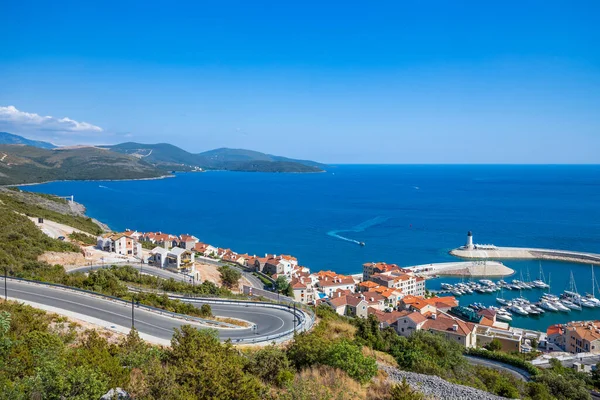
column 396, row 296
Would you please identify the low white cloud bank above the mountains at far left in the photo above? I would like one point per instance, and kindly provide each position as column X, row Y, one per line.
column 20, row 119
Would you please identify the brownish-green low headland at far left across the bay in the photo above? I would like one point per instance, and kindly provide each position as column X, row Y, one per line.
column 26, row 164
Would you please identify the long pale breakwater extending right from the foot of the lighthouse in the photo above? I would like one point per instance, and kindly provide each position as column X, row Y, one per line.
column 522, row 253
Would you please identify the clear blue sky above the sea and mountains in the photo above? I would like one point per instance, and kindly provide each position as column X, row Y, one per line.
column 341, row 82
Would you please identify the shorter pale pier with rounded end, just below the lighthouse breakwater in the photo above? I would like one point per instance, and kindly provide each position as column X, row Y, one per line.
column 464, row 268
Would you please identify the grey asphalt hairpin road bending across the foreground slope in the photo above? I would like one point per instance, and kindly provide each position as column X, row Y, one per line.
column 269, row 321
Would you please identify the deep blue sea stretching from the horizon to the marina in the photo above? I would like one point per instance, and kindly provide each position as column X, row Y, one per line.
column 405, row 214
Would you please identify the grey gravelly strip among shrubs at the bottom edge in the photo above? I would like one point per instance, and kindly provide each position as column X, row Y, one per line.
column 434, row 387
